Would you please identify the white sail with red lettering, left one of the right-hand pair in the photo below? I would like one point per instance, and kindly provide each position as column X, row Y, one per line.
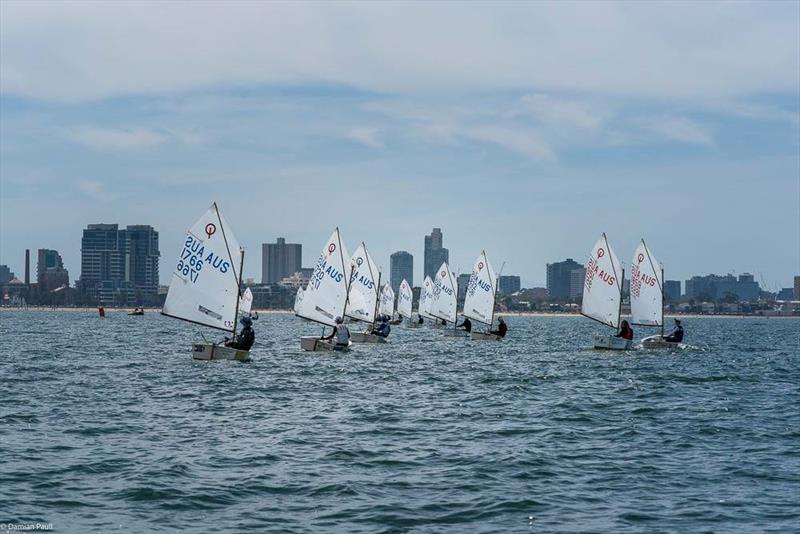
column 602, row 288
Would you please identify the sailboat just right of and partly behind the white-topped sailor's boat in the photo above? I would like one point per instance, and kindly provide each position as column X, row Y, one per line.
column 363, row 295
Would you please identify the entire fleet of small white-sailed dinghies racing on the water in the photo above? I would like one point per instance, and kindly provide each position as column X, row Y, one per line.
column 206, row 289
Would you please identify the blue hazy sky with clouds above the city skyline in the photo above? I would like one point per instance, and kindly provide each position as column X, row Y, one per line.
column 525, row 129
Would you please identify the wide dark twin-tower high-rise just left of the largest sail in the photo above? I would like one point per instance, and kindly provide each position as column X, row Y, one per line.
column 120, row 266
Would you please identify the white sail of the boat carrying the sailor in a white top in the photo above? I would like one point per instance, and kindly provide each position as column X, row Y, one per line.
column 325, row 296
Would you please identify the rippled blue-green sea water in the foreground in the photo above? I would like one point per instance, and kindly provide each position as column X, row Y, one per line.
column 107, row 424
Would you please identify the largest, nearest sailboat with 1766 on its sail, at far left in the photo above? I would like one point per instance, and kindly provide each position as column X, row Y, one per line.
column 205, row 286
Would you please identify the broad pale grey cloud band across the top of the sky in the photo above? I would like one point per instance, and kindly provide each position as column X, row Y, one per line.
column 89, row 50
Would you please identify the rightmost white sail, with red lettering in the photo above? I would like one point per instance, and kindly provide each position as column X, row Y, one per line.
column 647, row 295
